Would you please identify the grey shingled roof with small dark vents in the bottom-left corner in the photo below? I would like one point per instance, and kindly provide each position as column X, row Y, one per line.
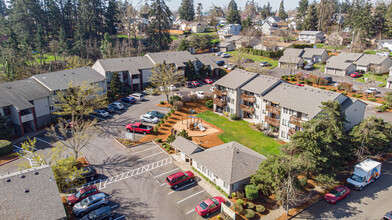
column 30, row 194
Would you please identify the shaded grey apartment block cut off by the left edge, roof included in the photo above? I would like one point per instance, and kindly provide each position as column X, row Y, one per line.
column 25, row 104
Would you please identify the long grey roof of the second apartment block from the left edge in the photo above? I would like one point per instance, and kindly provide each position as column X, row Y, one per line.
column 60, row 80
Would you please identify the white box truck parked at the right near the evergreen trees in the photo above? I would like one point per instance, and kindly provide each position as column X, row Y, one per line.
column 364, row 173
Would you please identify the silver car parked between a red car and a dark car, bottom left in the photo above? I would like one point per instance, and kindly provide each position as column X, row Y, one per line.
column 89, row 204
